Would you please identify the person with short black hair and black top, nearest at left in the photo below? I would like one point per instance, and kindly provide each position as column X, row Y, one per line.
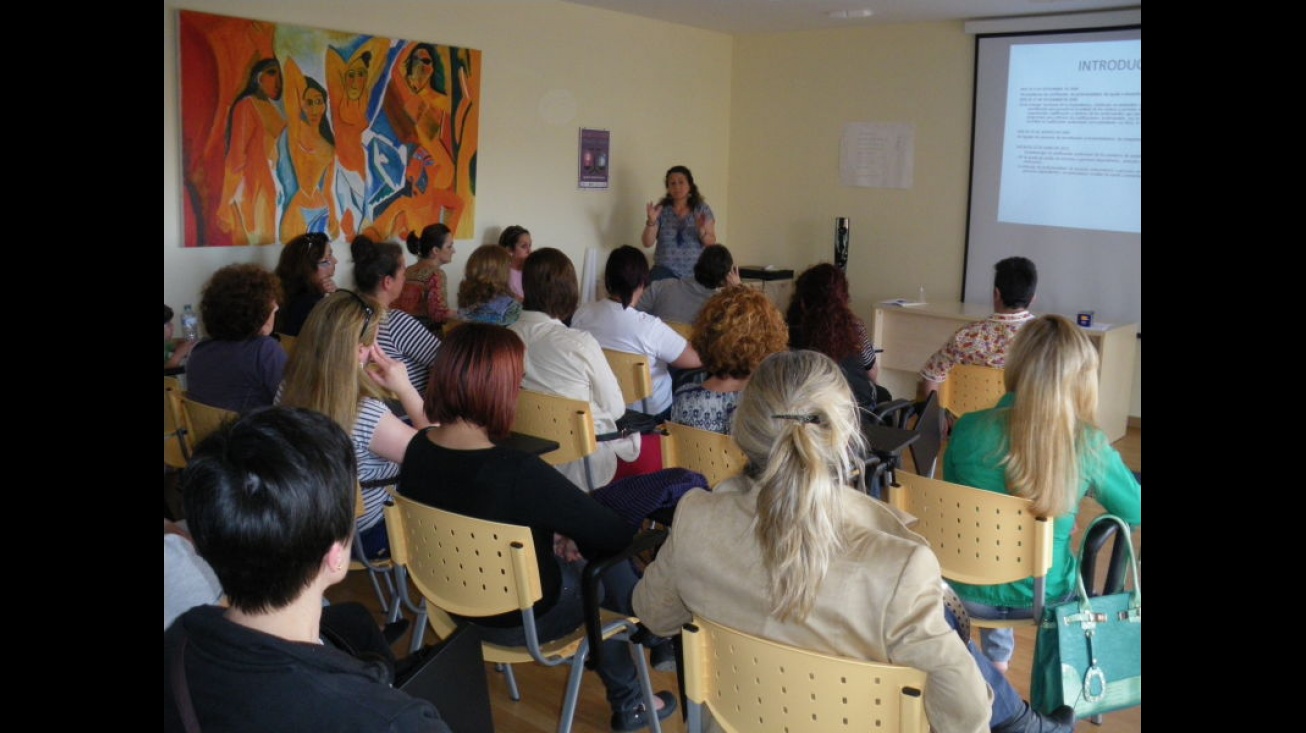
column 270, row 501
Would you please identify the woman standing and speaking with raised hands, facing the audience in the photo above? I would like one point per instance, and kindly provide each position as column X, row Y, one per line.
column 681, row 224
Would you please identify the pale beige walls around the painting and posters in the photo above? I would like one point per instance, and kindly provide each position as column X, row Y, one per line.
column 758, row 118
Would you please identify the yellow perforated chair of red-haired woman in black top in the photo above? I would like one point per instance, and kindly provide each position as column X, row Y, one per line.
column 475, row 568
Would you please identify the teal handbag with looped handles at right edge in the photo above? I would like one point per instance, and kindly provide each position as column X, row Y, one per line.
column 1089, row 653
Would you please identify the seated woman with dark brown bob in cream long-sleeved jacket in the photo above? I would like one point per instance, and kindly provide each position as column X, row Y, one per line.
column 570, row 363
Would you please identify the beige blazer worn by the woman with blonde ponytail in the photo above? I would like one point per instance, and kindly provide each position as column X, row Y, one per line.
column 882, row 602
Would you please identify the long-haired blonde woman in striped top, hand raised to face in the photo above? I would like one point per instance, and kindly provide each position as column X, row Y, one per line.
column 342, row 372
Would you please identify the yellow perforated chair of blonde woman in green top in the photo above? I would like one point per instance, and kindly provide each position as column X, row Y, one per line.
column 980, row 538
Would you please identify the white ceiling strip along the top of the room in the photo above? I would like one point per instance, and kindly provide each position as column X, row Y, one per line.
column 779, row 16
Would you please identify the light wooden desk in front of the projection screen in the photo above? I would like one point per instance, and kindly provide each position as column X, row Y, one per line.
column 911, row 336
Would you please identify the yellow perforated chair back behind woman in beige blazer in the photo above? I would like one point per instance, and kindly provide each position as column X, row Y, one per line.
column 752, row 684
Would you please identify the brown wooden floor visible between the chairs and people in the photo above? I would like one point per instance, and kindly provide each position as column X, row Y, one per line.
column 543, row 688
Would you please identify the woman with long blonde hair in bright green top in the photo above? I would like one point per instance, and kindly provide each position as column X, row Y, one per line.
column 1042, row 442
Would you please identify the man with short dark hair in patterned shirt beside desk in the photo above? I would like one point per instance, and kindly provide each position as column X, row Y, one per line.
column 985, row 343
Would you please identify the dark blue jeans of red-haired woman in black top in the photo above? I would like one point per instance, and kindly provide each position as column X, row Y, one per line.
column 617, row 668
